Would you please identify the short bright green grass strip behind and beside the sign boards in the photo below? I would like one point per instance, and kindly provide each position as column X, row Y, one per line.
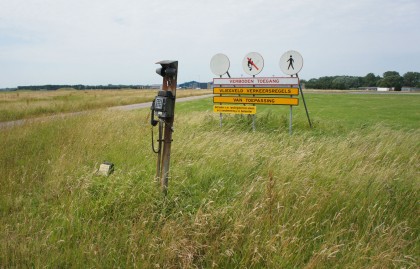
column 335, row 111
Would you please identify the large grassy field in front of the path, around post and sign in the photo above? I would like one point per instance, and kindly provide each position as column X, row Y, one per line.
column 342, row 195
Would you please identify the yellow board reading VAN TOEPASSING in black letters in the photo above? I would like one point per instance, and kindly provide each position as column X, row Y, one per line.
column 256, row 100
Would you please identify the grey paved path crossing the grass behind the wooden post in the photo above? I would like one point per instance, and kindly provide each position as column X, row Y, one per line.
column 9, row 124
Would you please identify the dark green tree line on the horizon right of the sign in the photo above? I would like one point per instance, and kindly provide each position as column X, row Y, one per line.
column 390, row 79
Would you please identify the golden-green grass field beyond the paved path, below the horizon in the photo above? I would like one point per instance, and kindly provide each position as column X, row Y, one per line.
column 29, row 104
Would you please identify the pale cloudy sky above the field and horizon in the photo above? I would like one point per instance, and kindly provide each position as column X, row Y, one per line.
column 101, row 42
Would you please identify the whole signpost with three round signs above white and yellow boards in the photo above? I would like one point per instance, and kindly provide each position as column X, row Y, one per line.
column 256, row 90
